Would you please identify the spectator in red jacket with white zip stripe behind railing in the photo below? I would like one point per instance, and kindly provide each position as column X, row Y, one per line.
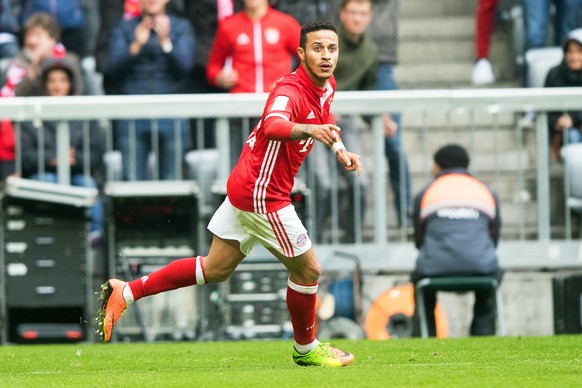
column 252, row 50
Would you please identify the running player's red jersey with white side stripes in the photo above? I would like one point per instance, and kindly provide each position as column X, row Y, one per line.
column 263, row 178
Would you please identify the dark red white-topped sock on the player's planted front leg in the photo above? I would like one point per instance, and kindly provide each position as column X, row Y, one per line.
column 301, row 304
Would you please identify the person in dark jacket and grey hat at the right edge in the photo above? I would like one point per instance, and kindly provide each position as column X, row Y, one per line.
column 567, row 74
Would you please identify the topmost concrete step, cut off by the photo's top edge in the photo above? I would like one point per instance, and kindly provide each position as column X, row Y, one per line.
column 424, row 8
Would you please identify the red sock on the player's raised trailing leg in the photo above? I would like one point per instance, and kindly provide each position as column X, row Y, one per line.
column 177, row 274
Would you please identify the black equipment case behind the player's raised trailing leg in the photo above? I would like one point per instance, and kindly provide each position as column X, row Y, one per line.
column 151, row 223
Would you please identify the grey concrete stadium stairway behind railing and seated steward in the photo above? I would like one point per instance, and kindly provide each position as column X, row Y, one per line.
column 436, row 51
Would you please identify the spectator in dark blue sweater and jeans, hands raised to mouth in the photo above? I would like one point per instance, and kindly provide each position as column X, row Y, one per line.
column 151, row 54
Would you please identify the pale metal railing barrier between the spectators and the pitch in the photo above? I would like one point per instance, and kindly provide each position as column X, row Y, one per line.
column 510, row 158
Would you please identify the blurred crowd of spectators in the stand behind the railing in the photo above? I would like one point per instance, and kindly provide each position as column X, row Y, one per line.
column 129, row 47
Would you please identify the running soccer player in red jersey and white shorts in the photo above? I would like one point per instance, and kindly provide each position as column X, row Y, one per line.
column 258, row 206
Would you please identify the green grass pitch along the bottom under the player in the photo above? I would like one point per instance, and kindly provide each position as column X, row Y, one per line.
column 553, row 361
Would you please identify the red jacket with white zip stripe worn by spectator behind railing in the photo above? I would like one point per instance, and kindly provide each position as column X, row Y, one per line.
column 261, row 50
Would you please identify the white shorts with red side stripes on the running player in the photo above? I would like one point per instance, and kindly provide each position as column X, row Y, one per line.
column 281, row 230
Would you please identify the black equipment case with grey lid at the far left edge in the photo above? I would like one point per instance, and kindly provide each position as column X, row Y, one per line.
column 46, row 281
